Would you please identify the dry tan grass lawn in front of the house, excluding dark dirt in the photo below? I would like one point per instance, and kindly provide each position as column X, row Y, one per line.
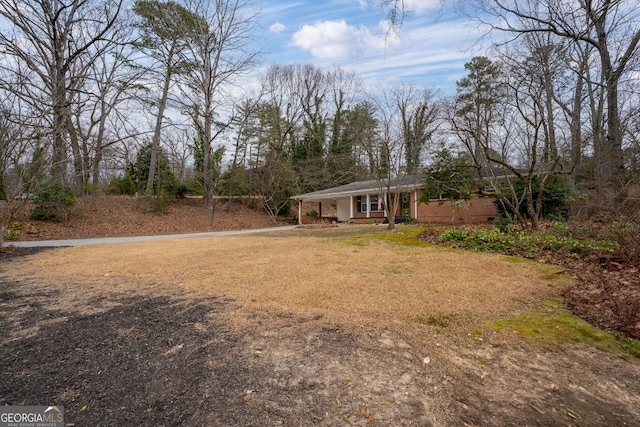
column 335, row 276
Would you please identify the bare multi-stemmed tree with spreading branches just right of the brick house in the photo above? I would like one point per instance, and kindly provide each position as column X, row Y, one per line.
column 505, row 128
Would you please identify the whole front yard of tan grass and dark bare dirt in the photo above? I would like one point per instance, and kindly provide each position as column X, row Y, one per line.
column 316, row 327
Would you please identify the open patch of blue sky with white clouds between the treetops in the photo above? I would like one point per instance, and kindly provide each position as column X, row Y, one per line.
column 433, row 45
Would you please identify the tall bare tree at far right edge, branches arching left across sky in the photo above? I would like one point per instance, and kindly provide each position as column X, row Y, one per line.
column 611, row 27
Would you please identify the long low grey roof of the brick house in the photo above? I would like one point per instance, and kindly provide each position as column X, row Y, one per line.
column 403, row 184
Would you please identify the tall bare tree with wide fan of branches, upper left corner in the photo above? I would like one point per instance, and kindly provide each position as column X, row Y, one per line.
column 50, row 46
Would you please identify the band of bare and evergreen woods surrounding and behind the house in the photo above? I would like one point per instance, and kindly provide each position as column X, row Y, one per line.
column 163, row 98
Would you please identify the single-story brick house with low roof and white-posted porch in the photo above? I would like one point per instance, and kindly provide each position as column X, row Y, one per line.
column 362, row 202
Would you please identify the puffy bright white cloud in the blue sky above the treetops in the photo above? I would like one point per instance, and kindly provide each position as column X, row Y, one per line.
column 336, row 39
